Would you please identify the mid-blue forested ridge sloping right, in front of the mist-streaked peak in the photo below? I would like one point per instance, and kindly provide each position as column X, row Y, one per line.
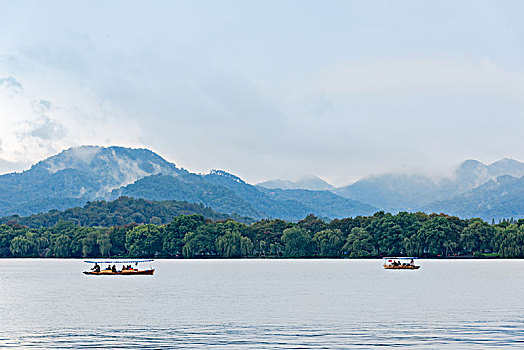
column 228, row 193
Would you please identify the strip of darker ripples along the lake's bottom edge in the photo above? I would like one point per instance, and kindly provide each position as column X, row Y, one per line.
column 458, row 336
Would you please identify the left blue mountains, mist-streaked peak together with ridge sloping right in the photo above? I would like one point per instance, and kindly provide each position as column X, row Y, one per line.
column 82, row 174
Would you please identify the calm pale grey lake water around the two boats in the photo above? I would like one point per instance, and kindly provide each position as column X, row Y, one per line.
column 263, row 304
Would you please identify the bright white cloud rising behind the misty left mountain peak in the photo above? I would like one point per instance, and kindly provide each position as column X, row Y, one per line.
column 37, row 122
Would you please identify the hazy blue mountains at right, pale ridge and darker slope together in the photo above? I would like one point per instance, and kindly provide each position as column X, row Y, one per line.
column 473, row 189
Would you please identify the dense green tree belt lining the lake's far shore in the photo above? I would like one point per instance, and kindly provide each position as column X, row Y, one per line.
column 382, row 234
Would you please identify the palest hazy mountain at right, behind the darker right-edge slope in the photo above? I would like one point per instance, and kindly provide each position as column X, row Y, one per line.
column 396, row 192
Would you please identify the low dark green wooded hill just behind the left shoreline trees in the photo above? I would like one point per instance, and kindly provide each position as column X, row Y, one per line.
column 122, row 211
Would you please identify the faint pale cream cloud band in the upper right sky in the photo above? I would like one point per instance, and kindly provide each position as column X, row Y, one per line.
column 418, row 74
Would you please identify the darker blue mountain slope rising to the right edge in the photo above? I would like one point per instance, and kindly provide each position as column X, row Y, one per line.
column 497, row 199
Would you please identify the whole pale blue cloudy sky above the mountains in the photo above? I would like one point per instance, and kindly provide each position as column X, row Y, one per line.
column 265, row 89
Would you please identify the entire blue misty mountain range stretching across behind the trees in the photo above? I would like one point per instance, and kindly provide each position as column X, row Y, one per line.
column 91, row 173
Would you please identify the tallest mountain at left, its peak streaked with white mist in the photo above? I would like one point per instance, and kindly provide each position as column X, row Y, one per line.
column 75, row 176
